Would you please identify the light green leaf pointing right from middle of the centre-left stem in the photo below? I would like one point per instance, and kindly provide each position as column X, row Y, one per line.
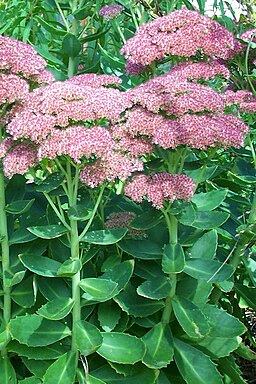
column 98, row 289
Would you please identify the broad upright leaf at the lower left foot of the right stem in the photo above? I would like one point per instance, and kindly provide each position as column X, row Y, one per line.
column 159, row 344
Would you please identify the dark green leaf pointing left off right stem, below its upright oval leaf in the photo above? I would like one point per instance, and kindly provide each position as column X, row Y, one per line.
column 156, row 289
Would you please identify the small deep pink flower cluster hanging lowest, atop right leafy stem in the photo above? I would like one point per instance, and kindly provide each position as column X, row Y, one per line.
column 160, row 187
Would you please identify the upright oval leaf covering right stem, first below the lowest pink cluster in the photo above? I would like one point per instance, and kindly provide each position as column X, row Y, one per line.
column 173, row 258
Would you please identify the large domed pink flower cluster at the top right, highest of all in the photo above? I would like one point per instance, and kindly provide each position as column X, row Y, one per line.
column 180, row 33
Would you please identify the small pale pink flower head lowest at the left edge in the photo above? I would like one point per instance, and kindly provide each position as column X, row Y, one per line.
column 19, row 159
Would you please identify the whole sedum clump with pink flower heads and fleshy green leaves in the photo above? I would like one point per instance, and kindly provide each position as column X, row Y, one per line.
column 115, row 259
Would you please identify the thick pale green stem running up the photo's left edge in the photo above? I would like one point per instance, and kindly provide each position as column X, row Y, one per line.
column 5, row 257
